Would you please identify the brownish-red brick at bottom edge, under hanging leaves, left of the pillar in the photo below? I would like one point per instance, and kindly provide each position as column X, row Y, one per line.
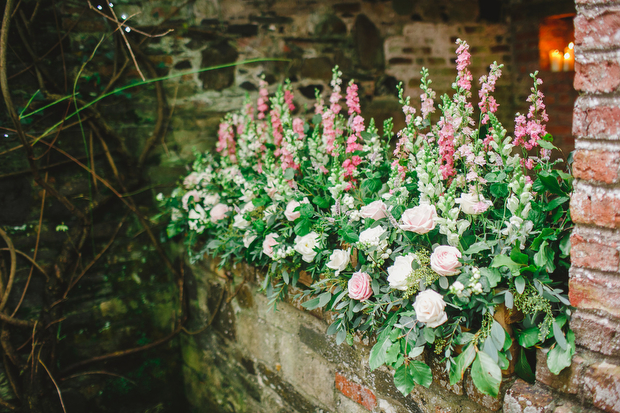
column 526, row 398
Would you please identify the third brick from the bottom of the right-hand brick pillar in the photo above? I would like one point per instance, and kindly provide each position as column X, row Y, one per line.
column 594, row 290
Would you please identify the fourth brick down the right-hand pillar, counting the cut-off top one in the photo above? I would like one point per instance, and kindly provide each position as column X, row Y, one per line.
column 599, row 122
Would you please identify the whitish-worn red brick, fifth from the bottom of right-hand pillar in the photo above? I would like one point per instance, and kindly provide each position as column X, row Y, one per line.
column 597, row 208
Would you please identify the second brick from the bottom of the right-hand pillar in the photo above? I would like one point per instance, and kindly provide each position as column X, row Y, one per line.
column 601, row 334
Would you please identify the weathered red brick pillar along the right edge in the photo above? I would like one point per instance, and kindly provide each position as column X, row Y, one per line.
column 594, row 285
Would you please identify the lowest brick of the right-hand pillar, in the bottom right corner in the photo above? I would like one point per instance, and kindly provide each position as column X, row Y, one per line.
column 601, row 386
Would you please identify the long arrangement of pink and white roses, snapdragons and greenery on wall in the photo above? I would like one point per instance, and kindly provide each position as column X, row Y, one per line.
column 423, row 244
